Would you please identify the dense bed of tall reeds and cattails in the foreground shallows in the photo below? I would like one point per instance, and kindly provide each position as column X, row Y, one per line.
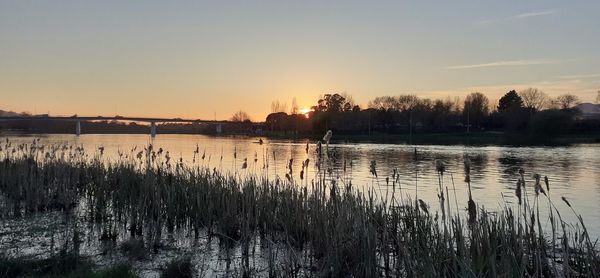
column 327, row 227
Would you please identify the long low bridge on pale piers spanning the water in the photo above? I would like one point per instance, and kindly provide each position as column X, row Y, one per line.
column 77, row 120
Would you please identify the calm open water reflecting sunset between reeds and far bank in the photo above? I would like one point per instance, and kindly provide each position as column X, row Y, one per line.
column 573, row 171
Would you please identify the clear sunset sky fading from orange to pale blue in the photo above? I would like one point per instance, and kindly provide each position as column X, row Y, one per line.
column 206, row 60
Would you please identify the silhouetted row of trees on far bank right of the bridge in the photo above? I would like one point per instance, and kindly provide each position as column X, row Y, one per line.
column 530, row 111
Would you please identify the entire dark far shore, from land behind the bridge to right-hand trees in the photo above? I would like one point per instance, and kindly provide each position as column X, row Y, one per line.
column 531, row 114
